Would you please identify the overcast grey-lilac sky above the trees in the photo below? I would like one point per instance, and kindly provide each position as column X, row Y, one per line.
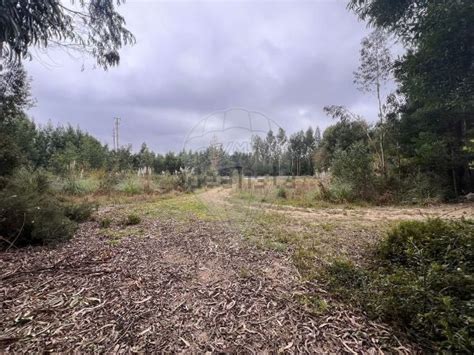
column 285, row 59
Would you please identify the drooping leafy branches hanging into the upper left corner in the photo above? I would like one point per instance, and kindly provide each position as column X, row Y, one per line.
column 91, row 26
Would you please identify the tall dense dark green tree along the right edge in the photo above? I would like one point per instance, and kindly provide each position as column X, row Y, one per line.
column 436, row 75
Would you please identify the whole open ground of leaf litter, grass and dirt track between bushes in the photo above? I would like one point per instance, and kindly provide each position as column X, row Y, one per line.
column 198, row 272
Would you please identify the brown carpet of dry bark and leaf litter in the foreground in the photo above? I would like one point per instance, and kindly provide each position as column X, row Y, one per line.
column 191, row 287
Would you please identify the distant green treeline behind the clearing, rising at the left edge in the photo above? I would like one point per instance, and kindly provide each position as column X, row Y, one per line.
column 65, row 149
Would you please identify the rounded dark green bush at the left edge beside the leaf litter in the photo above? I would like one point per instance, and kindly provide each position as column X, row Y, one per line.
column 30, row 214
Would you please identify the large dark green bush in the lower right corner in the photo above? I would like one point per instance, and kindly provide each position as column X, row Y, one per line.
column 422, row 281
